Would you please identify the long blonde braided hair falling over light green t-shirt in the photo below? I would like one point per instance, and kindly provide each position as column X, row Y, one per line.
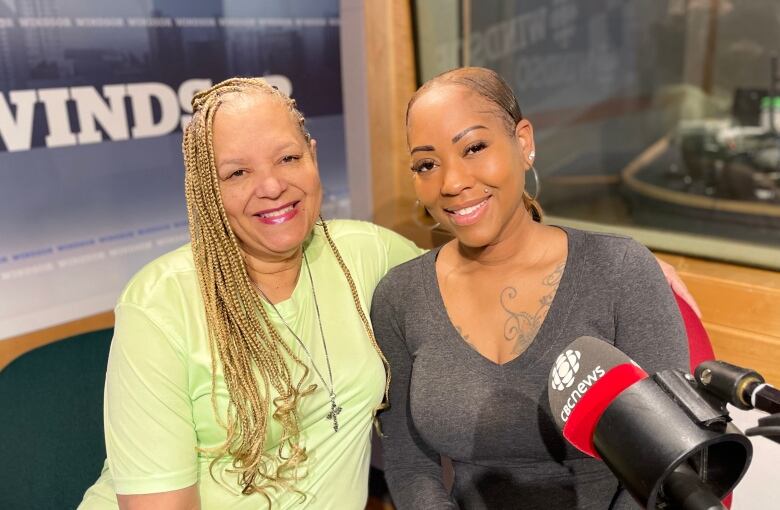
column 253, row 356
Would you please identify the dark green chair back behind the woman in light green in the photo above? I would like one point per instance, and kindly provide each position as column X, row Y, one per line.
column 51, row 423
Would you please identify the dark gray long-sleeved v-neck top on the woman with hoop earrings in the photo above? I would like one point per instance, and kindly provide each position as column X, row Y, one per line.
column 493, row 420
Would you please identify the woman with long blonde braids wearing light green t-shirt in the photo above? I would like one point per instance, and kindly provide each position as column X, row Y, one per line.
column 243, row 371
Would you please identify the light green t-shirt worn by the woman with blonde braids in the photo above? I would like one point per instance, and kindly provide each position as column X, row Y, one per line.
column 158, row 406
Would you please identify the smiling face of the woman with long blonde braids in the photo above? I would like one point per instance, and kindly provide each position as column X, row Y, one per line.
column 267, row 172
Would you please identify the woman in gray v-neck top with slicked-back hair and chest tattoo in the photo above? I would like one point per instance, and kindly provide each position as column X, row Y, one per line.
column 472, row 329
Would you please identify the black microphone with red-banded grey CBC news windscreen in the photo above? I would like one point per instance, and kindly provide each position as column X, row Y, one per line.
column 669, row 445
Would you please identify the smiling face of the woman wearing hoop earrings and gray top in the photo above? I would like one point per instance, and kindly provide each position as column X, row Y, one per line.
column 469, row 170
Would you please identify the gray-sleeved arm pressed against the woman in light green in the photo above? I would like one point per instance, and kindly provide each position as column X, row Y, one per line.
column 412, row 468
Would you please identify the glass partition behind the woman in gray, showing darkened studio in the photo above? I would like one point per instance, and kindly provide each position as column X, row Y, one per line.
column 650, row 116
